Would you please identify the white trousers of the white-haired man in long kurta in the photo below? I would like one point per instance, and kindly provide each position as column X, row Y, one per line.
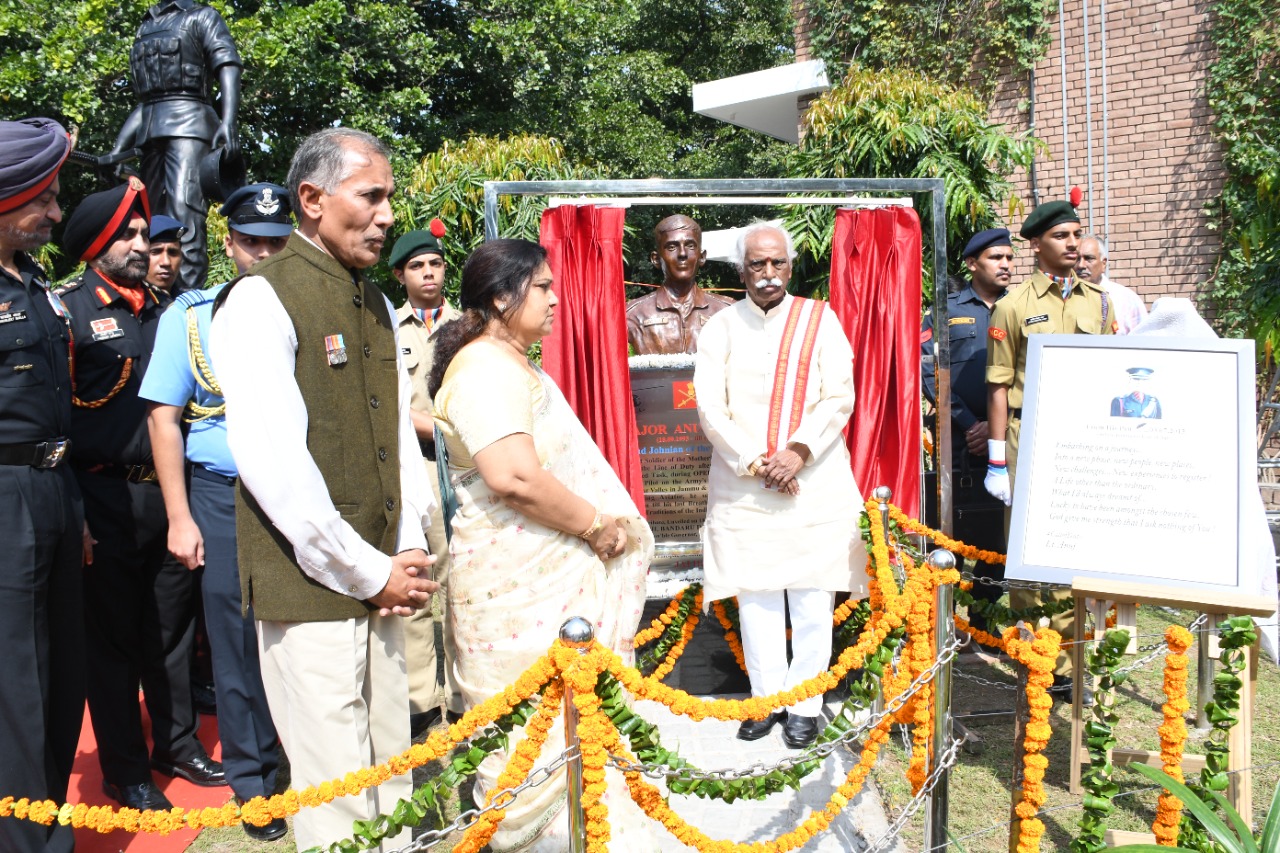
column 765, row 641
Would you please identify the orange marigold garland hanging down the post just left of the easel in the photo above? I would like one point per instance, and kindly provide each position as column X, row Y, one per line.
column 1039, row 656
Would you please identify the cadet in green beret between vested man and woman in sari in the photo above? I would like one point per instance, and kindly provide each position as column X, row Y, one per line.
column 418, row 262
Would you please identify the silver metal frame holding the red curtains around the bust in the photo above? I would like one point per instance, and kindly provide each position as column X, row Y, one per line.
column 685, row 190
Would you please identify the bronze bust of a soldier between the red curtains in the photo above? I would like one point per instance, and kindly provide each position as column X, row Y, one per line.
column 670, row 320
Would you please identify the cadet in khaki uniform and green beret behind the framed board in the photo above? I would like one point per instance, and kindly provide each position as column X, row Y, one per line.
column 1053, row 302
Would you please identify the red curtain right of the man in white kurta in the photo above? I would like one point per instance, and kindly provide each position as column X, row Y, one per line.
column 876, row 294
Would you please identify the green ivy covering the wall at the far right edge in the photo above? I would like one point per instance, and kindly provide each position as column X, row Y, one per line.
column 1245, row 94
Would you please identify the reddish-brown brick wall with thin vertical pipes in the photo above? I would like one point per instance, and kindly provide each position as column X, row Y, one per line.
column 1164, row 165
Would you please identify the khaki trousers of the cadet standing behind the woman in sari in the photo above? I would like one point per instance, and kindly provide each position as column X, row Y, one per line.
column 422, row 654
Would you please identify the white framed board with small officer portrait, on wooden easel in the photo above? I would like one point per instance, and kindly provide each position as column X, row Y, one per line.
column 1135, row 463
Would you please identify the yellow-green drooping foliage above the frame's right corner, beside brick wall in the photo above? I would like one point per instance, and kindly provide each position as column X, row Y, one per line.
column 902, row 125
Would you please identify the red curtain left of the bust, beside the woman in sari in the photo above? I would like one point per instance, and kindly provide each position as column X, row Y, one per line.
column 587, row 352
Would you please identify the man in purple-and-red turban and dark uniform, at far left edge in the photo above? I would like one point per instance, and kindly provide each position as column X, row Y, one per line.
column 42, row 617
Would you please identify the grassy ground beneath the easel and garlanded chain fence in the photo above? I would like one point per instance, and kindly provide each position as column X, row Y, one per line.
column 981, row 795
